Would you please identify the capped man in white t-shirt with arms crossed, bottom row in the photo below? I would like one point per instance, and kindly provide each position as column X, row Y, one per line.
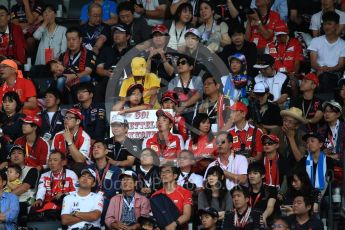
column 83, row 208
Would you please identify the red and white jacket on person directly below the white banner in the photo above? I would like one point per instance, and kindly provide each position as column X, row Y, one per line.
column 170, row 150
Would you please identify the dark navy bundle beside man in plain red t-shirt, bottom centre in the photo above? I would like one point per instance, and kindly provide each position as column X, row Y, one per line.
column 164, row 210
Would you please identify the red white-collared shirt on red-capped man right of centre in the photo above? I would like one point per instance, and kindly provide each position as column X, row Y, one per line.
column 245, row 136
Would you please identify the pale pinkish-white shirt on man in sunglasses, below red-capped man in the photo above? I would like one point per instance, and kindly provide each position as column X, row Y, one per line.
column 237, row 165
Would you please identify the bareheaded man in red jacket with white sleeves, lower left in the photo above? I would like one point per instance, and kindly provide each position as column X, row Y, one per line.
column 53, row 186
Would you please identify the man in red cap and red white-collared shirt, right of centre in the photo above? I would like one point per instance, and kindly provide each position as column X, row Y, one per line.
column 246, row 137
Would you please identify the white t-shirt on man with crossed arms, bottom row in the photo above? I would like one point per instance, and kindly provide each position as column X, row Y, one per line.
column 74, row 202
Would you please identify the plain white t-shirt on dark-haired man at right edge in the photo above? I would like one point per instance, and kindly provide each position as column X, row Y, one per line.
column 328, row 54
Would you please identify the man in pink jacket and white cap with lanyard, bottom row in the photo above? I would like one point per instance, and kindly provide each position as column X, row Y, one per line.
column 125, row 209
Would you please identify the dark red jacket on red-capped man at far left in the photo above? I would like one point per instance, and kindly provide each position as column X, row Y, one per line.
column 36, row 155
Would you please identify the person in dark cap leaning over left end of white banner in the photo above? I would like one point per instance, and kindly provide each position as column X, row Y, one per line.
column 134, row 100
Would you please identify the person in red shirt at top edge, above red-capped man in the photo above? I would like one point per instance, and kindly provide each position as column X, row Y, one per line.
column 261, row 24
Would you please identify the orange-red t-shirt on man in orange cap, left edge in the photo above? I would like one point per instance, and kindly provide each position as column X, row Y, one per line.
column 25, row 89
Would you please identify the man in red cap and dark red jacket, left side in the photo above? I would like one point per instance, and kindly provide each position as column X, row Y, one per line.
column 36, row 148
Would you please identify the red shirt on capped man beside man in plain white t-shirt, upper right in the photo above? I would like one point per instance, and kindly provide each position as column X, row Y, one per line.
column 286, row 54
